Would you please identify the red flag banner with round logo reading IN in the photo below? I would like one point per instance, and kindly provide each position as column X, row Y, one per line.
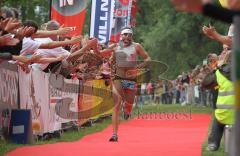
column 69, row 13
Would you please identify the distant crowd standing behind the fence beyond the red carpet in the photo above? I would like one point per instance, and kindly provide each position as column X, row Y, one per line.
column 174, row 92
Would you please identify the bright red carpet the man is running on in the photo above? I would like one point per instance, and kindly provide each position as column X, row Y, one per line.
column 136, row 138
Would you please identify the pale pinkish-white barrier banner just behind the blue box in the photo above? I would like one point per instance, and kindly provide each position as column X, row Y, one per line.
column 34, row 95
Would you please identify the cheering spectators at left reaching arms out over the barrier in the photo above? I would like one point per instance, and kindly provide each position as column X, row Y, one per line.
column 48, row 49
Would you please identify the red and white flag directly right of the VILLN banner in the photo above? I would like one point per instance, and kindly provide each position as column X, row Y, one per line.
column 121, row 18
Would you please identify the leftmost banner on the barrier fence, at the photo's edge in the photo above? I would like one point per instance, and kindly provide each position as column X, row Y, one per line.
column 9, row 93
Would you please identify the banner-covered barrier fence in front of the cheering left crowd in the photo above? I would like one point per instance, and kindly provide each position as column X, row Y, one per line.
column 52, row 99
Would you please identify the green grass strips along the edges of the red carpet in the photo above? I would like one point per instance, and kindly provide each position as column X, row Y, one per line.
column 75, row 135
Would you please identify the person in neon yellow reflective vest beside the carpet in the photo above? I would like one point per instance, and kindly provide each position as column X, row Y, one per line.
column 224, row 114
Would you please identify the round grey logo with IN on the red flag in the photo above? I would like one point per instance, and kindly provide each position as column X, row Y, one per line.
column 69, row 7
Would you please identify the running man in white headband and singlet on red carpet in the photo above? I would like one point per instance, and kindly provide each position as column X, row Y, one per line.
column 123, row 84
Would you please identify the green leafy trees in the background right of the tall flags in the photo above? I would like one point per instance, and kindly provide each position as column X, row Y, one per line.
column 174, row 37
